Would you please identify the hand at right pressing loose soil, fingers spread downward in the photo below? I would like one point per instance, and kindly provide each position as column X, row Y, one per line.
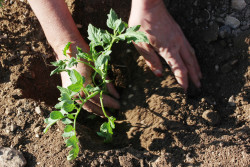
column 166, row 39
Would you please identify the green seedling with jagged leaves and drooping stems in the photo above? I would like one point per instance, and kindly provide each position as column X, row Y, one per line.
column 68, row 108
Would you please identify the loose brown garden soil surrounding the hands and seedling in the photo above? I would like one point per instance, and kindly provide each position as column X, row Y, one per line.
column 158, row 124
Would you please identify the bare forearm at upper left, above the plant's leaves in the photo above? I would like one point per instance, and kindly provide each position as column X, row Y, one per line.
column 57, row 23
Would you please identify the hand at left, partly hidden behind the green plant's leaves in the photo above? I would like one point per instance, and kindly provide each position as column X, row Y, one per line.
column 93, row 105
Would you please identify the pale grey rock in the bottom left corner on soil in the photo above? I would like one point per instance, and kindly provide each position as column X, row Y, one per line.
column 9, row 157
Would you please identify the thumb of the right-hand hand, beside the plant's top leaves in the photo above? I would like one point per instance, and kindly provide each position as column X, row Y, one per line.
column 151, row 58
